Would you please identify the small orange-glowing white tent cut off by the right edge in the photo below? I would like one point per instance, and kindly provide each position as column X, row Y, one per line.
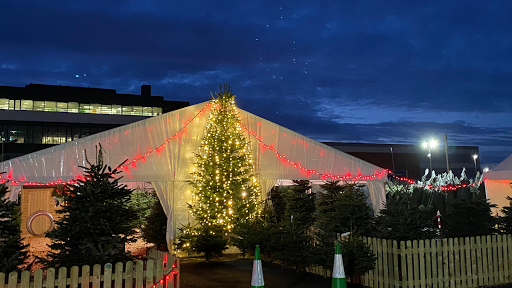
column 497, row 184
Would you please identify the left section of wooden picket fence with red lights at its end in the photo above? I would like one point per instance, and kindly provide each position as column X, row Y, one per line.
column 153, row 273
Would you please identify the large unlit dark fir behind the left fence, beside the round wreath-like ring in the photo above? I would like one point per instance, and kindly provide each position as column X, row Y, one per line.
column 96, row 221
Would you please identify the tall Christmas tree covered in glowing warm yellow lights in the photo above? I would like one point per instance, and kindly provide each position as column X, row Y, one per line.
column 225, row 188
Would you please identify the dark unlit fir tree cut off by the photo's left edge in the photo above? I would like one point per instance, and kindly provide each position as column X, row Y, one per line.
column 12, row 250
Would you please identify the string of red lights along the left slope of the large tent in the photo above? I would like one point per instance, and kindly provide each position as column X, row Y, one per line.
column 132, row 162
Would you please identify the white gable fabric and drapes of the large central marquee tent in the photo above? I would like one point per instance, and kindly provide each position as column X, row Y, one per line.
column 160, row 150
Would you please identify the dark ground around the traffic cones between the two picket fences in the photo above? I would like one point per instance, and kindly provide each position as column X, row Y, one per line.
column 234, row 272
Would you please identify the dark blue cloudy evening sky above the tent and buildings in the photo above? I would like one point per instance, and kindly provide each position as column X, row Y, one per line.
column 348, row 71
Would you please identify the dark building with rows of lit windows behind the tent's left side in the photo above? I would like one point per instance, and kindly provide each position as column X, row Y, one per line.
column 38, row 116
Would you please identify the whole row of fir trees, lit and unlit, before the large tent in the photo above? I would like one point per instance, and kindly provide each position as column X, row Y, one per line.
column 296, row 226
